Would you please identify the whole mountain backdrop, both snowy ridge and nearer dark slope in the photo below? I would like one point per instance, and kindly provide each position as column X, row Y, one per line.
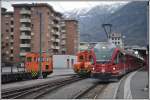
column 128, row 18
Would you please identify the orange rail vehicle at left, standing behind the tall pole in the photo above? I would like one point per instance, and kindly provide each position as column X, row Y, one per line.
column 32, row 64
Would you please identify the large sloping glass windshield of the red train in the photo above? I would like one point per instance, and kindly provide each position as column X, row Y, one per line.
column 103, row 52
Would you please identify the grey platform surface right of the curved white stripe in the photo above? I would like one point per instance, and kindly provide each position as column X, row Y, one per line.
column 139, row 83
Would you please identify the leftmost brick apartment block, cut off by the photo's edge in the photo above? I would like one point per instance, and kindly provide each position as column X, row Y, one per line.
column 7, row 36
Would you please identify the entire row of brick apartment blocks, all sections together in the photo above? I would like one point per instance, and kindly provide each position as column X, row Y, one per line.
column 59, row 35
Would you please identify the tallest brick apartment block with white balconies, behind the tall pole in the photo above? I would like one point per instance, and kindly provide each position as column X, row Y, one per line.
column 27, row 29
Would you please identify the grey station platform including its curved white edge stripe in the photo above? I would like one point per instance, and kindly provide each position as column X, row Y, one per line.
column 134, row 86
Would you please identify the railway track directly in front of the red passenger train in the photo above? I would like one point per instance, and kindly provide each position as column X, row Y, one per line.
column 91, row 92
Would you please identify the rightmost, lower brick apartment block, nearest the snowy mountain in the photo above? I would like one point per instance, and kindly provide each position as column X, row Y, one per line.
column 70, row 37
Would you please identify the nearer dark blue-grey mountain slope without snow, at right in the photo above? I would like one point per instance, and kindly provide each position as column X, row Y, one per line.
column 131, row 21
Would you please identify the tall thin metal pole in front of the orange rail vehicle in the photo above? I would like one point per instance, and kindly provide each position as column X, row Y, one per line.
column 40, row 65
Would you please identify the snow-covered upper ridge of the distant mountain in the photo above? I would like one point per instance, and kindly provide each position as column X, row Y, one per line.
column 86, row 12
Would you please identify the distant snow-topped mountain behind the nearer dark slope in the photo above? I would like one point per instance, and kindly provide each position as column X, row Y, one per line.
column 91, row 19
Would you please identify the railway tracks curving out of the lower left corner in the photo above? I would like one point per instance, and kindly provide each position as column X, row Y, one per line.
column 34, row 92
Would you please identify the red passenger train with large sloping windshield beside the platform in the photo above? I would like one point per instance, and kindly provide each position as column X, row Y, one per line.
column 111, row 62
